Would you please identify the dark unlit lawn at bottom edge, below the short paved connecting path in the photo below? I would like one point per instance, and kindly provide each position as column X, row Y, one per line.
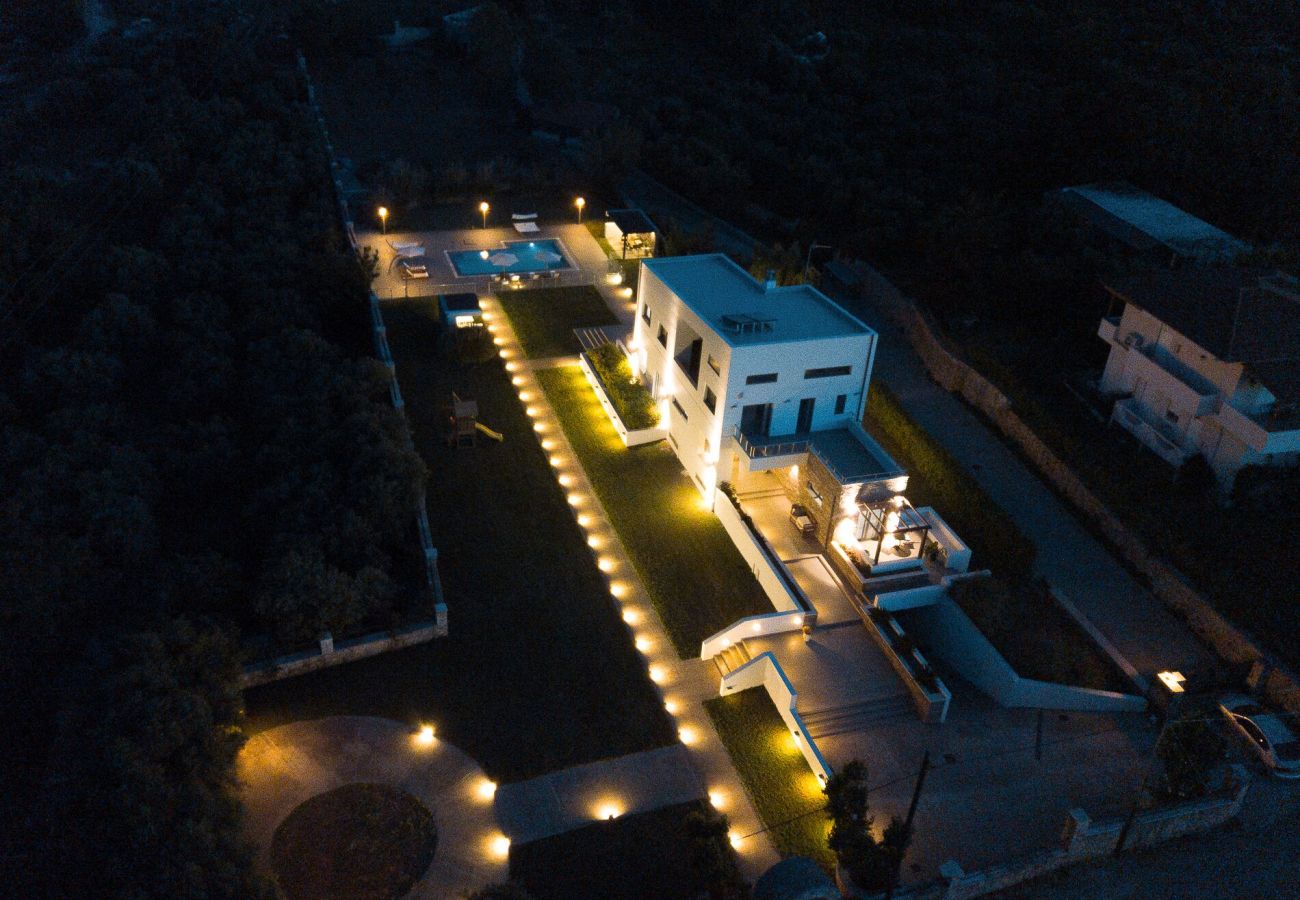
column 635, row 858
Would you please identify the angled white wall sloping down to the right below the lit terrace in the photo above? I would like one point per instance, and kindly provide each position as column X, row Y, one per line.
column 951, row 635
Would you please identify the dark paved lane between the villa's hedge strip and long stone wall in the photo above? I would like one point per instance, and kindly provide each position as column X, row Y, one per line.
column 1069, row 557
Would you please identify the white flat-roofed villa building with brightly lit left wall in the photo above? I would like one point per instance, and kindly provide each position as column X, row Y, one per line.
column 756, row 378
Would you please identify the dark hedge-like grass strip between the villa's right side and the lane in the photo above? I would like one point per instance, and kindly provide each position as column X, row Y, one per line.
column 938, row 481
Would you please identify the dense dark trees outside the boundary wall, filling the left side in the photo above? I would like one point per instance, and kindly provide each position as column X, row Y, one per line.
column 189, row 431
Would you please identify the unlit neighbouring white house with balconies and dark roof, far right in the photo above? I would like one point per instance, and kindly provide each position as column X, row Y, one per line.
column 1208, row 361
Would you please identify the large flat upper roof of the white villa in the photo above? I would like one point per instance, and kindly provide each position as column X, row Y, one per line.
column 743, row 313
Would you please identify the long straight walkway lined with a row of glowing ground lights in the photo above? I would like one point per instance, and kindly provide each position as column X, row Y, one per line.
column 683, row 683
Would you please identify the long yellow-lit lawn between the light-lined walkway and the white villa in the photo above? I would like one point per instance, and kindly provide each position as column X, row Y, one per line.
column 696, row 577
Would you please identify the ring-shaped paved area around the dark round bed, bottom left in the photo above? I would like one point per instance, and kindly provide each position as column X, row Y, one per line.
column 281, row 768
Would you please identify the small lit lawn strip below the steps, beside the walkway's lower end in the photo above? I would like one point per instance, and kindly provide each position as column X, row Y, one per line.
column 785, row 791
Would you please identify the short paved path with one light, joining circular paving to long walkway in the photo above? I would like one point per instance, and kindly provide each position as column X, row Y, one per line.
column 575, row 798
